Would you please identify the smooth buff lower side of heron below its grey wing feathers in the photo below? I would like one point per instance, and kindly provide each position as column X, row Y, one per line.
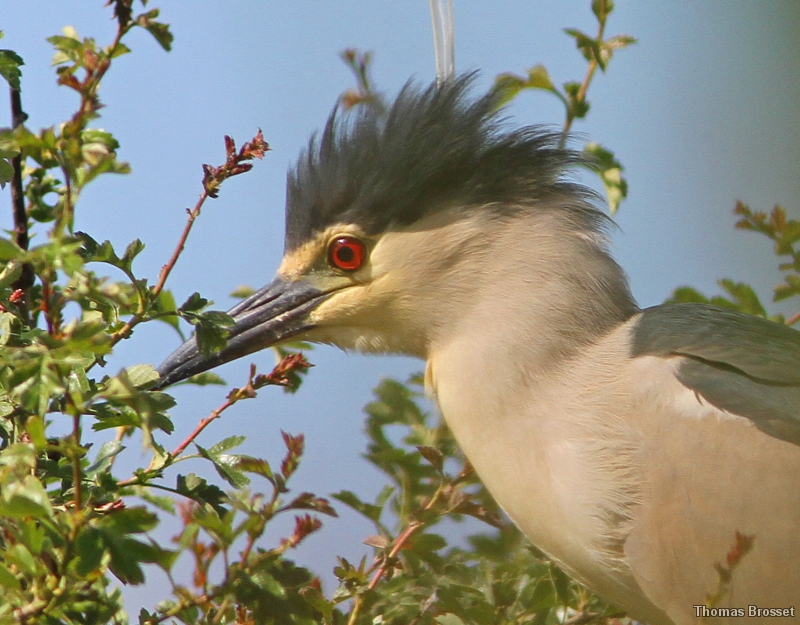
column 719, row 521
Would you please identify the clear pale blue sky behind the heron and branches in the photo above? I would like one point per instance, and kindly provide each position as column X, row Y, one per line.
column 702, row 113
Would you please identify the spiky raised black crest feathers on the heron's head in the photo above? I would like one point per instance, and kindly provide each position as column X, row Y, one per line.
column 431, row 149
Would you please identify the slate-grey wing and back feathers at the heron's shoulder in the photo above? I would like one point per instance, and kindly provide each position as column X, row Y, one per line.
column 744, row 364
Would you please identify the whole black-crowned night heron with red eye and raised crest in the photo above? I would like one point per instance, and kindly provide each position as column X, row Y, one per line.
column 630, row 445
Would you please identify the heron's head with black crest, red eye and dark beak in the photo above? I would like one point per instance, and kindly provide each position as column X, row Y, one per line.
column 395, row 217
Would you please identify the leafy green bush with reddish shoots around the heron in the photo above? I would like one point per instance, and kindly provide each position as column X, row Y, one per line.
column 69, row 525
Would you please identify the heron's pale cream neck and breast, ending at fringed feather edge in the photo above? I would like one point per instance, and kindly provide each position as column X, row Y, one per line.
column 499, row 374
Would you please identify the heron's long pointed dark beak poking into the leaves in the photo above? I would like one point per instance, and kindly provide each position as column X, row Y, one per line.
column 273, row 314
